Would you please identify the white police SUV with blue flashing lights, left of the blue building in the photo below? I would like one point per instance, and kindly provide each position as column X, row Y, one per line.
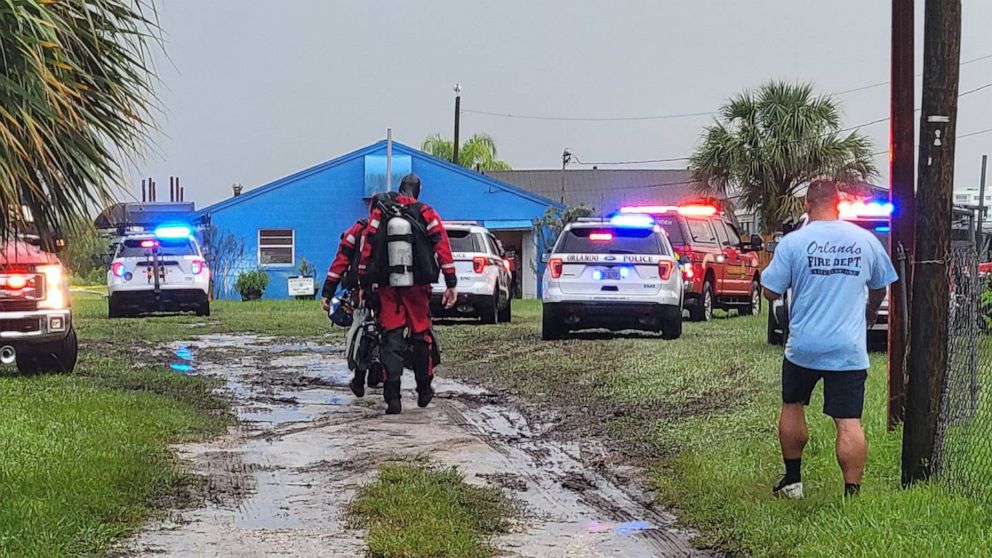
column 160, row 271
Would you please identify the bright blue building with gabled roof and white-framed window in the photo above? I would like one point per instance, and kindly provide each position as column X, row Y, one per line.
column 302, row 215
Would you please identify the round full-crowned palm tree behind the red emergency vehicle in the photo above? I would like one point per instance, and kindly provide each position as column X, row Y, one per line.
column 768, row 144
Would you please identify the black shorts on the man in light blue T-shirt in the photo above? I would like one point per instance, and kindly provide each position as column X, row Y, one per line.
column 843, row 392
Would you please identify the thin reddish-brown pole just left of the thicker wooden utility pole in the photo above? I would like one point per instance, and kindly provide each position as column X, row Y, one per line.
column 902, row 194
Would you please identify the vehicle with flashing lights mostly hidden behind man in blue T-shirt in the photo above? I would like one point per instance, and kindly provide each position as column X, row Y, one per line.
column 871, row 215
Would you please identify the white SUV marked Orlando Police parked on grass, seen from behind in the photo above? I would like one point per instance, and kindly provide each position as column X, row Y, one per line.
column 618, row 274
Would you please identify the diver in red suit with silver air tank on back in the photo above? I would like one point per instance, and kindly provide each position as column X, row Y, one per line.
column 405, row 246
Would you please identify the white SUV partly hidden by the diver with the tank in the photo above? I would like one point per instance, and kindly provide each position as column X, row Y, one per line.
column 483, row 276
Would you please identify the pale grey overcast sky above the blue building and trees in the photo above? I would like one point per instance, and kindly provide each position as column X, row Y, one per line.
column 255, row 89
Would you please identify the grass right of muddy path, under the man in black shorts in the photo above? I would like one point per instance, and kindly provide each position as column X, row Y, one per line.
column 701, row 412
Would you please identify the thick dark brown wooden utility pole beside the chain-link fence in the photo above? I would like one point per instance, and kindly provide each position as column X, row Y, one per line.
column 927, row 362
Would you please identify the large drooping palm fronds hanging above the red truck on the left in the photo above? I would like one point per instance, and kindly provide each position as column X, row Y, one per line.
column 76, row 101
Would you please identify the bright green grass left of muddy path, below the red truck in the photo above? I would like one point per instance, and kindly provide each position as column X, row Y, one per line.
column 84, row 457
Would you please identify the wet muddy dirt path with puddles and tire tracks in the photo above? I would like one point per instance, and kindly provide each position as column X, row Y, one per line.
column 279, row 482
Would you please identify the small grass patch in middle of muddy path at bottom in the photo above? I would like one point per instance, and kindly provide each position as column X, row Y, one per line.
column 418, row 511
